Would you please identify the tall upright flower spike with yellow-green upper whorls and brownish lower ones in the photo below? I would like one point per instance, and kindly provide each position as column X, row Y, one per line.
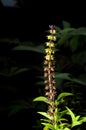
column 49, row 74
